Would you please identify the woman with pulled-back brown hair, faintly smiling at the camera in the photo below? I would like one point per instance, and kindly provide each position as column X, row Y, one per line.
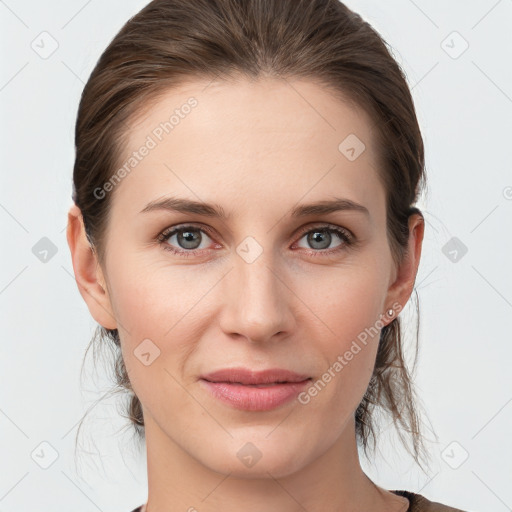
column 244, row 232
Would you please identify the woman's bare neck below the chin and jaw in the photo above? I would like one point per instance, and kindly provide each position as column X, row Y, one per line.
column 333, row 482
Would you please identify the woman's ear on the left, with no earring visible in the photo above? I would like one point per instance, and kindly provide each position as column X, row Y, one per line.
column 88, row 275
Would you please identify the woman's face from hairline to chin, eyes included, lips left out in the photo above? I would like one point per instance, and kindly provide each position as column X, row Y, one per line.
column 269, row 284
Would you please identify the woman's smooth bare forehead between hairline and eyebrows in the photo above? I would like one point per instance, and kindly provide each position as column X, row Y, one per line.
column 243, row 142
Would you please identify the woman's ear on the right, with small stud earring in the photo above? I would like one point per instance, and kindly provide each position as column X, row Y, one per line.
column 402, row 286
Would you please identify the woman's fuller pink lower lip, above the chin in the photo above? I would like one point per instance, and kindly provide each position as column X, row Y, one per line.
column 250, row 398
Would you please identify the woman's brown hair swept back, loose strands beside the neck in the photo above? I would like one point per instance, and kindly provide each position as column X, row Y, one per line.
column 171, row 41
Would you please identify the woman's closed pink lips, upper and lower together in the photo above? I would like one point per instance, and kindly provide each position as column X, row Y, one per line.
column 237, row 387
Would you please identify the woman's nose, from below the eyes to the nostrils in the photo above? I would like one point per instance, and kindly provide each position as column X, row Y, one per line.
column 258, row 301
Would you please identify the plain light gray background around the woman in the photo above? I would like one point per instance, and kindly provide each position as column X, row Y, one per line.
column 464, row 104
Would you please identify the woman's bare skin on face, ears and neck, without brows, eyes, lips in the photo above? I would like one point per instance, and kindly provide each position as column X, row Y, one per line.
column 257, row 149
